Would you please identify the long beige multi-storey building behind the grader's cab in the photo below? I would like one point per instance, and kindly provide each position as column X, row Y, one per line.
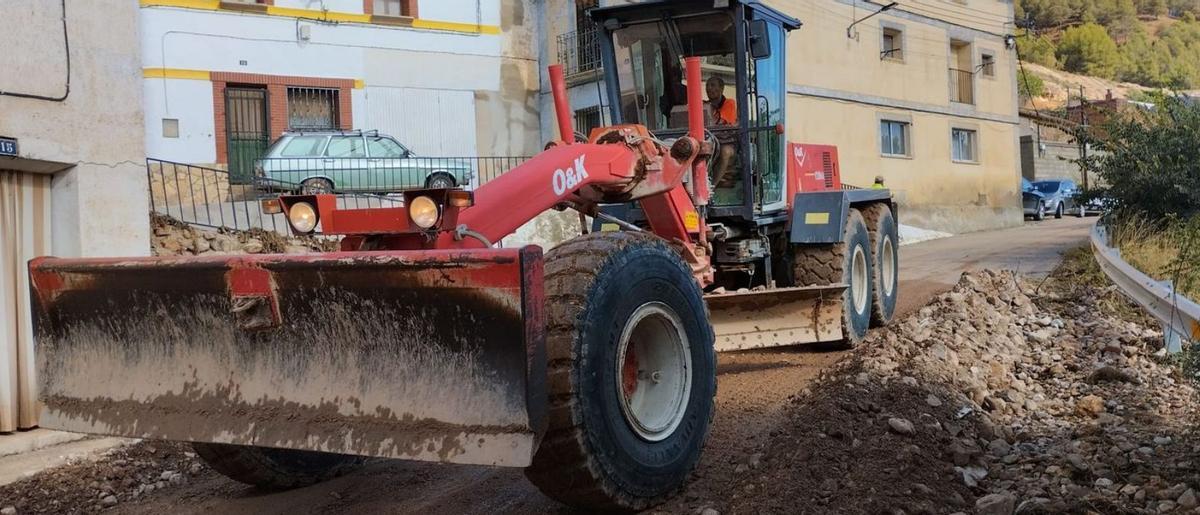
column 923, row 94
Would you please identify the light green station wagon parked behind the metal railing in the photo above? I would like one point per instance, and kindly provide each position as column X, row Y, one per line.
column 355, row 161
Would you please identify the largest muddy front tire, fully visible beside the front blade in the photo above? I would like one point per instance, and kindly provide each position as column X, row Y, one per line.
column 632, row 378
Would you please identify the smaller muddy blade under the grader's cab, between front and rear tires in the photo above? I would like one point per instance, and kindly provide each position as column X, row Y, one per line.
column 777, row 318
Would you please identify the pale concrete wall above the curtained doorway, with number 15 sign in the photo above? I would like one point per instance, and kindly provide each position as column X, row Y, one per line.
column 92, row 141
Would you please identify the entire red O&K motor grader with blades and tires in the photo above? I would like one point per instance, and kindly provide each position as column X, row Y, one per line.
column 592, row 366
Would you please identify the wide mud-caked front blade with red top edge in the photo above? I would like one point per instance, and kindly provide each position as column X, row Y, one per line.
column 435, row 356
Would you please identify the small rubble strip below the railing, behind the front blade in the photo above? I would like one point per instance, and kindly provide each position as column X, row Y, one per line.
column 171, row 237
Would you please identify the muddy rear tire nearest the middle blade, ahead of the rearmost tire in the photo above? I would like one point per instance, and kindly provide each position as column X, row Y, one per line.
column 836, row 264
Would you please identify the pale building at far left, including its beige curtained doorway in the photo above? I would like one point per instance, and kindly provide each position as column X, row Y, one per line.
column 73, row 177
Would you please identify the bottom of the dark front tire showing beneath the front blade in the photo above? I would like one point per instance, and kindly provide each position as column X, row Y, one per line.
column 275, row 469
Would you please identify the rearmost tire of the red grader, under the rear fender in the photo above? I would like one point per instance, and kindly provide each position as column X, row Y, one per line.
column 881, row 225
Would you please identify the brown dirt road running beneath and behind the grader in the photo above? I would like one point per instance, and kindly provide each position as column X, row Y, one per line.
column 754, row 390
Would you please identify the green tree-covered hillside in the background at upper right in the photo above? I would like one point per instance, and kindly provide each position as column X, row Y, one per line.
column 1150, row 43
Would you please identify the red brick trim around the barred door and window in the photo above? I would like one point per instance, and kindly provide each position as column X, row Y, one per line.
column 278, row 101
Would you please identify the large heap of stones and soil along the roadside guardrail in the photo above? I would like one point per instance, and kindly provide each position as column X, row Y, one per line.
column 991, row 400
